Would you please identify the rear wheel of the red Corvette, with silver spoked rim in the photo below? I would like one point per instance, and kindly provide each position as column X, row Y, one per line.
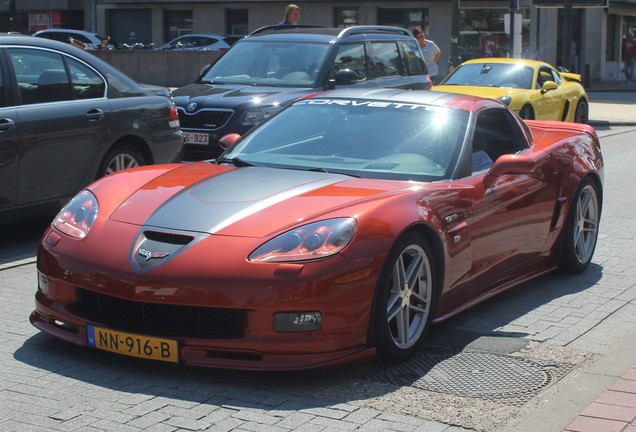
column 581, row 229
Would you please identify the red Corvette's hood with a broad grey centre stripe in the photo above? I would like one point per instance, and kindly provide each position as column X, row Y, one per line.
column 248, row 202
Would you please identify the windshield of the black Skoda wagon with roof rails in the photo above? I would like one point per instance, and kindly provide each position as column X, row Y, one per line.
column 269, row 64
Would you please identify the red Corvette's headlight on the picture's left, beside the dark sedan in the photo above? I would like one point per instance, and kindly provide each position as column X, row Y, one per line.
column 77, row 217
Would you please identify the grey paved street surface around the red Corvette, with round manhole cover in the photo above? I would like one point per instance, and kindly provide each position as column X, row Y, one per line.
column 492, row 368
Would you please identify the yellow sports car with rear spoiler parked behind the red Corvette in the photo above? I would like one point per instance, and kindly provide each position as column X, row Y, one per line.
column 533, row 89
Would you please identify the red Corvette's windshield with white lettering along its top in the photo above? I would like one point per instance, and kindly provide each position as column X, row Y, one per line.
column 371, row 139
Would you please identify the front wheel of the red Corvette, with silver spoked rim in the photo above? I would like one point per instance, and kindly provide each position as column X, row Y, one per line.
column 405, row 299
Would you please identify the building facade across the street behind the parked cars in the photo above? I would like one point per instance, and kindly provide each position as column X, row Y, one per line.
column 583, row 39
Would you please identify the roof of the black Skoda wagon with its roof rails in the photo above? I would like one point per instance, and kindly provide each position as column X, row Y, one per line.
column 310, row 33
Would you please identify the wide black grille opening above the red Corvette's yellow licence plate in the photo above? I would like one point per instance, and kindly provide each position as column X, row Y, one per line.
column 169, row 320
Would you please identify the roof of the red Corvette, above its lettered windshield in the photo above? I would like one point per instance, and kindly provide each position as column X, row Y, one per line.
column 439, row 99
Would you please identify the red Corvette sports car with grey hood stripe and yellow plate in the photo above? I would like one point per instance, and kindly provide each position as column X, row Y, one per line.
column 337, row 230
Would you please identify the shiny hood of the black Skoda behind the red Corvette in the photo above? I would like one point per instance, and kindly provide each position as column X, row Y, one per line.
column 230, row 96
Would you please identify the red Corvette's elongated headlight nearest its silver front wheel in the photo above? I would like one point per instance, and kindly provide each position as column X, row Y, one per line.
column 308, row 242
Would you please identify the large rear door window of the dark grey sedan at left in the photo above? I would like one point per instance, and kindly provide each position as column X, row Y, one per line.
column 41, row 75
